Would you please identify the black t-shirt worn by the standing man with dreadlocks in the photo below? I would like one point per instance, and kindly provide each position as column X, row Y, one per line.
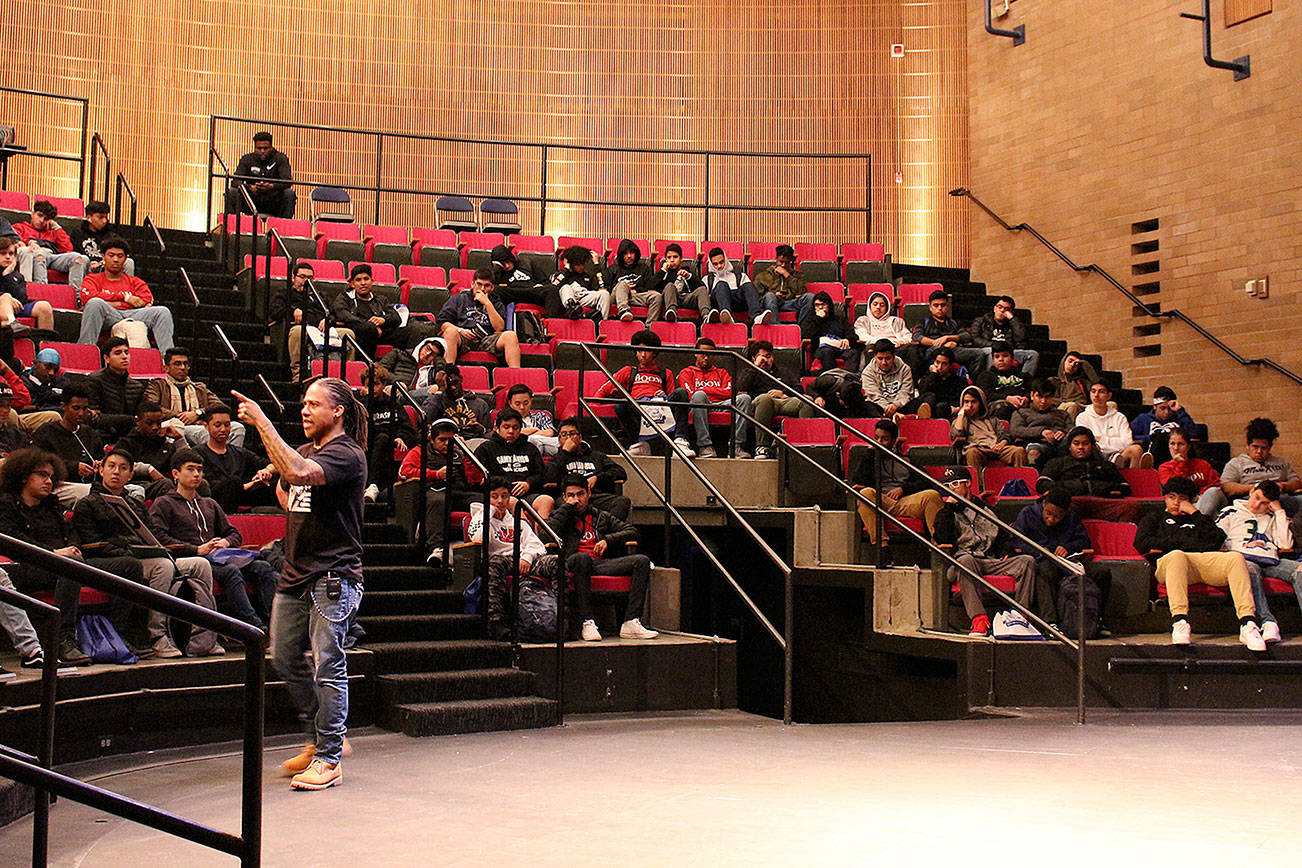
column 324, row 524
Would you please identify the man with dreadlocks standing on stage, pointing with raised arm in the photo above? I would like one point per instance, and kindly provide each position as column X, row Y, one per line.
column 321, row 490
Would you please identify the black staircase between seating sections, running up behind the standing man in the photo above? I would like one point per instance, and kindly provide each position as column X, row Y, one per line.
column 437, row 673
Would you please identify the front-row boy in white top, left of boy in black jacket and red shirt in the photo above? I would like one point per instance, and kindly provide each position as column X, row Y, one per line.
column 534, row 559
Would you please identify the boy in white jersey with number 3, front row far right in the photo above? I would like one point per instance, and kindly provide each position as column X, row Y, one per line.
column 1258, row 529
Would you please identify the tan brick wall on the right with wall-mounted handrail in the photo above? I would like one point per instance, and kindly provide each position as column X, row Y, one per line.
column 1107, row 119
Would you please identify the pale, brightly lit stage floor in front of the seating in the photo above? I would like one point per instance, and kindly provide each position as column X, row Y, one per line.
column 726, row 788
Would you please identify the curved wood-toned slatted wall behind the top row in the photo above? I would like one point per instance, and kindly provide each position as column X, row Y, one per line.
column 800, row 77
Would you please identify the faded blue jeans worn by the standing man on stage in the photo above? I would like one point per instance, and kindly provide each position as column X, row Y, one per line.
column 320, row 625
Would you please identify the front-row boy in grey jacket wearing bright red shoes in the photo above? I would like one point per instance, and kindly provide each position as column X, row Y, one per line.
column 982, row 547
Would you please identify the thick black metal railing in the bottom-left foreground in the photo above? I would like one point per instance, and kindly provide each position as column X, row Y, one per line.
column 36, row 771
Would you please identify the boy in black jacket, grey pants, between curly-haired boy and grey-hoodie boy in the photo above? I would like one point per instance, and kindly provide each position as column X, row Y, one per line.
column 96, row 520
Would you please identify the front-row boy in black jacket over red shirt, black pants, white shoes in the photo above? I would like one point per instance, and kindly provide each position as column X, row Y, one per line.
column 588, row 534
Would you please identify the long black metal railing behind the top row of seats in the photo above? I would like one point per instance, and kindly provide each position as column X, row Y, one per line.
column 541, row 192
